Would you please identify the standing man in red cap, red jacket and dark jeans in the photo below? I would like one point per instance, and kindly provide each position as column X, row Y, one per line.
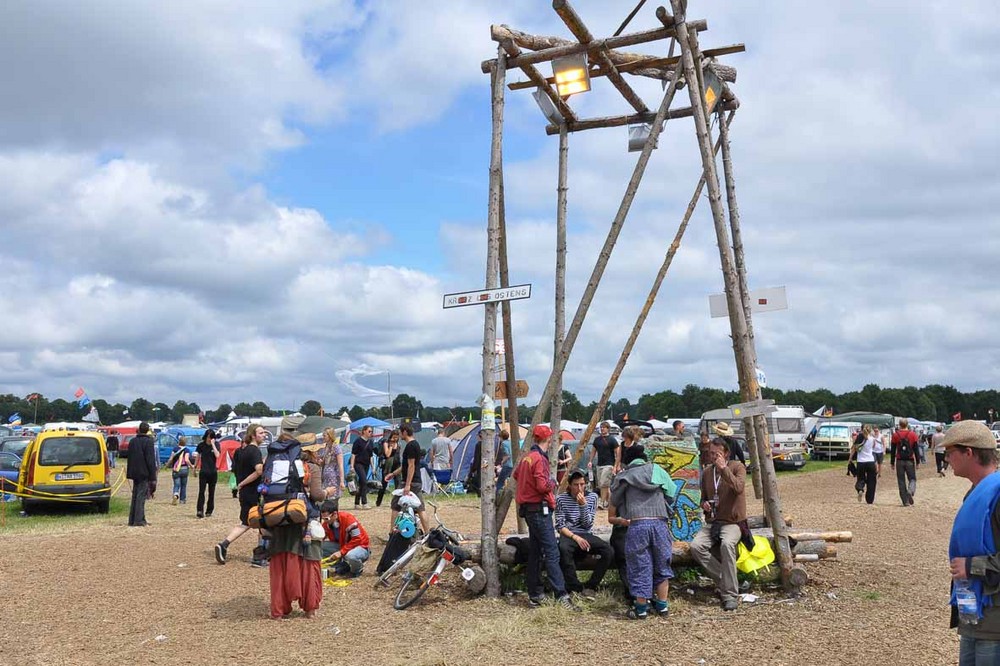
column 536, row 504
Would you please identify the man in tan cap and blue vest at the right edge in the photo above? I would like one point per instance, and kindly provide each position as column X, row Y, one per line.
column 974, row 562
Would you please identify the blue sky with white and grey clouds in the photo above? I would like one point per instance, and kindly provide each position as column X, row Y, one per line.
column 220, row 201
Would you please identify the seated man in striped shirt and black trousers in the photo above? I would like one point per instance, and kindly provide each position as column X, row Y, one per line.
column 575, row 511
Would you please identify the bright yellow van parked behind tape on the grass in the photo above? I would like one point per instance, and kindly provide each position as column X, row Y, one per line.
column 65, row 467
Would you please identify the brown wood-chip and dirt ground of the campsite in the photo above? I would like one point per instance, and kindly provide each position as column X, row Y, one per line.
column 98, row 592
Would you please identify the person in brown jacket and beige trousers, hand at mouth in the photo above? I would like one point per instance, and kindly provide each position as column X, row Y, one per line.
column 723, row 494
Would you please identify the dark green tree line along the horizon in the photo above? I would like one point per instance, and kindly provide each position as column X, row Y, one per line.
column 930, row 403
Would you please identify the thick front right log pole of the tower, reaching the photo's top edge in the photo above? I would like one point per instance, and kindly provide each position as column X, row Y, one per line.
column 791, row 577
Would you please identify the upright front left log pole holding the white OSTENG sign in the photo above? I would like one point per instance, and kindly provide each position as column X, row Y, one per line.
column 491, row 565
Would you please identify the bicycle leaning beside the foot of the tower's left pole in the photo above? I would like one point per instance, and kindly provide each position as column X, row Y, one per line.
column 446, row 542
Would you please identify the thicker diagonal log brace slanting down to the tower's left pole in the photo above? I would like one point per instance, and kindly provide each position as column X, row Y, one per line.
column 595, row 278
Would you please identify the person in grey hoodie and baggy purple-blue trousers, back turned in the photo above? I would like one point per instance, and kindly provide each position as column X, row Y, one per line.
column 642, row 497
